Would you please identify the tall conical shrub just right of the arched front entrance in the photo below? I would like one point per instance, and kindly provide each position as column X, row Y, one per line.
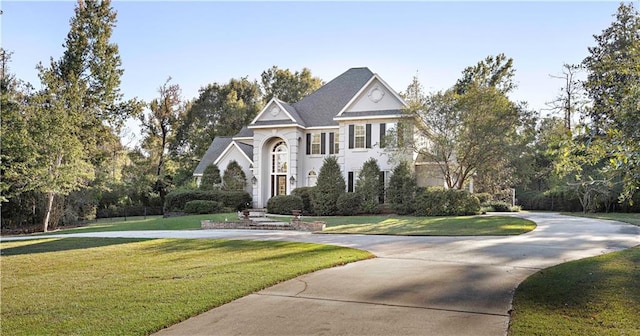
column 329, row 188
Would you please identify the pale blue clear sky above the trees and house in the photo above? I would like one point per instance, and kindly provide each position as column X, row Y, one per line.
column 202, row 42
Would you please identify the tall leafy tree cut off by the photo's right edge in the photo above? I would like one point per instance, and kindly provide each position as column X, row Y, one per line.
column 613, row 86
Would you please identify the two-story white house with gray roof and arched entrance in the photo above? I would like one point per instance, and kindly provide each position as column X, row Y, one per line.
column 284, row 146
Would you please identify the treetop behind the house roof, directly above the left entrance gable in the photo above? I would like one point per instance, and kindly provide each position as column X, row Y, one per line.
column 288, row 86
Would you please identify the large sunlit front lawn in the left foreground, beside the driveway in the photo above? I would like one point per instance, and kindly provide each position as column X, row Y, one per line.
column 109, row 286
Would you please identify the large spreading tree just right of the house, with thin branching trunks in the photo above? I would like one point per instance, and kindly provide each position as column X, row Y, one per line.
column 472, row 128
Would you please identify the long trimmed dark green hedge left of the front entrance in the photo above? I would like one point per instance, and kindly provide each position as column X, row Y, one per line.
column 237, row 200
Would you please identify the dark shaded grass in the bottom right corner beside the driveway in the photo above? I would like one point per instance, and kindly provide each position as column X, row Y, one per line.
column 593, row 296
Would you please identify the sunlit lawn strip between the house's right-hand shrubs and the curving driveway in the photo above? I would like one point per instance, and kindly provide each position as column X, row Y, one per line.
column 429, row 226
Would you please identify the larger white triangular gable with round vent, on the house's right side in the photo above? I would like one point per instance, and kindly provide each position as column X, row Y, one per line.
column 375, row 97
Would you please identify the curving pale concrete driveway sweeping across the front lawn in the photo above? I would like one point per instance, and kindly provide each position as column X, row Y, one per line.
column 416, row 286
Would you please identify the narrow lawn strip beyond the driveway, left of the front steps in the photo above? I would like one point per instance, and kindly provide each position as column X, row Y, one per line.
column 155, row 223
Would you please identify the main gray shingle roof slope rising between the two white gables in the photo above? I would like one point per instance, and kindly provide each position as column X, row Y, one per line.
column 320, row 107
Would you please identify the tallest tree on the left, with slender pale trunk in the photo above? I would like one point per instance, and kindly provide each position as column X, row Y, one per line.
column 80, row 96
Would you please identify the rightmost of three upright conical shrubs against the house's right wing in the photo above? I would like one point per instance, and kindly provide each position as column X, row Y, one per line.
column 401, row 190
